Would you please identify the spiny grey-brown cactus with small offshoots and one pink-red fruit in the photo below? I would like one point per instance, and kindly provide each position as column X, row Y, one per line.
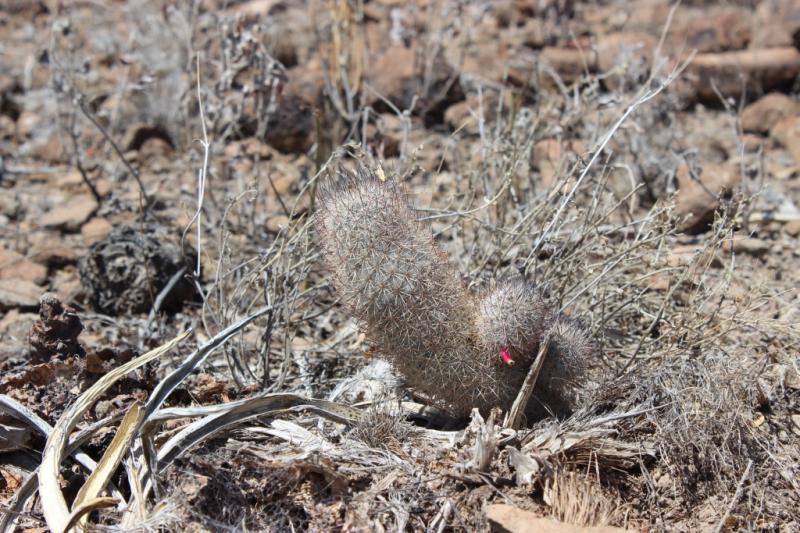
column 464, row 350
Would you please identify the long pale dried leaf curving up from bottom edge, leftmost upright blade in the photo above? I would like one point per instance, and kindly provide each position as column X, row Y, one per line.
column 54, row 505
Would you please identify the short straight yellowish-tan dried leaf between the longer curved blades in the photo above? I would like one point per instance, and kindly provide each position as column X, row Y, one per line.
column 120, row 444
